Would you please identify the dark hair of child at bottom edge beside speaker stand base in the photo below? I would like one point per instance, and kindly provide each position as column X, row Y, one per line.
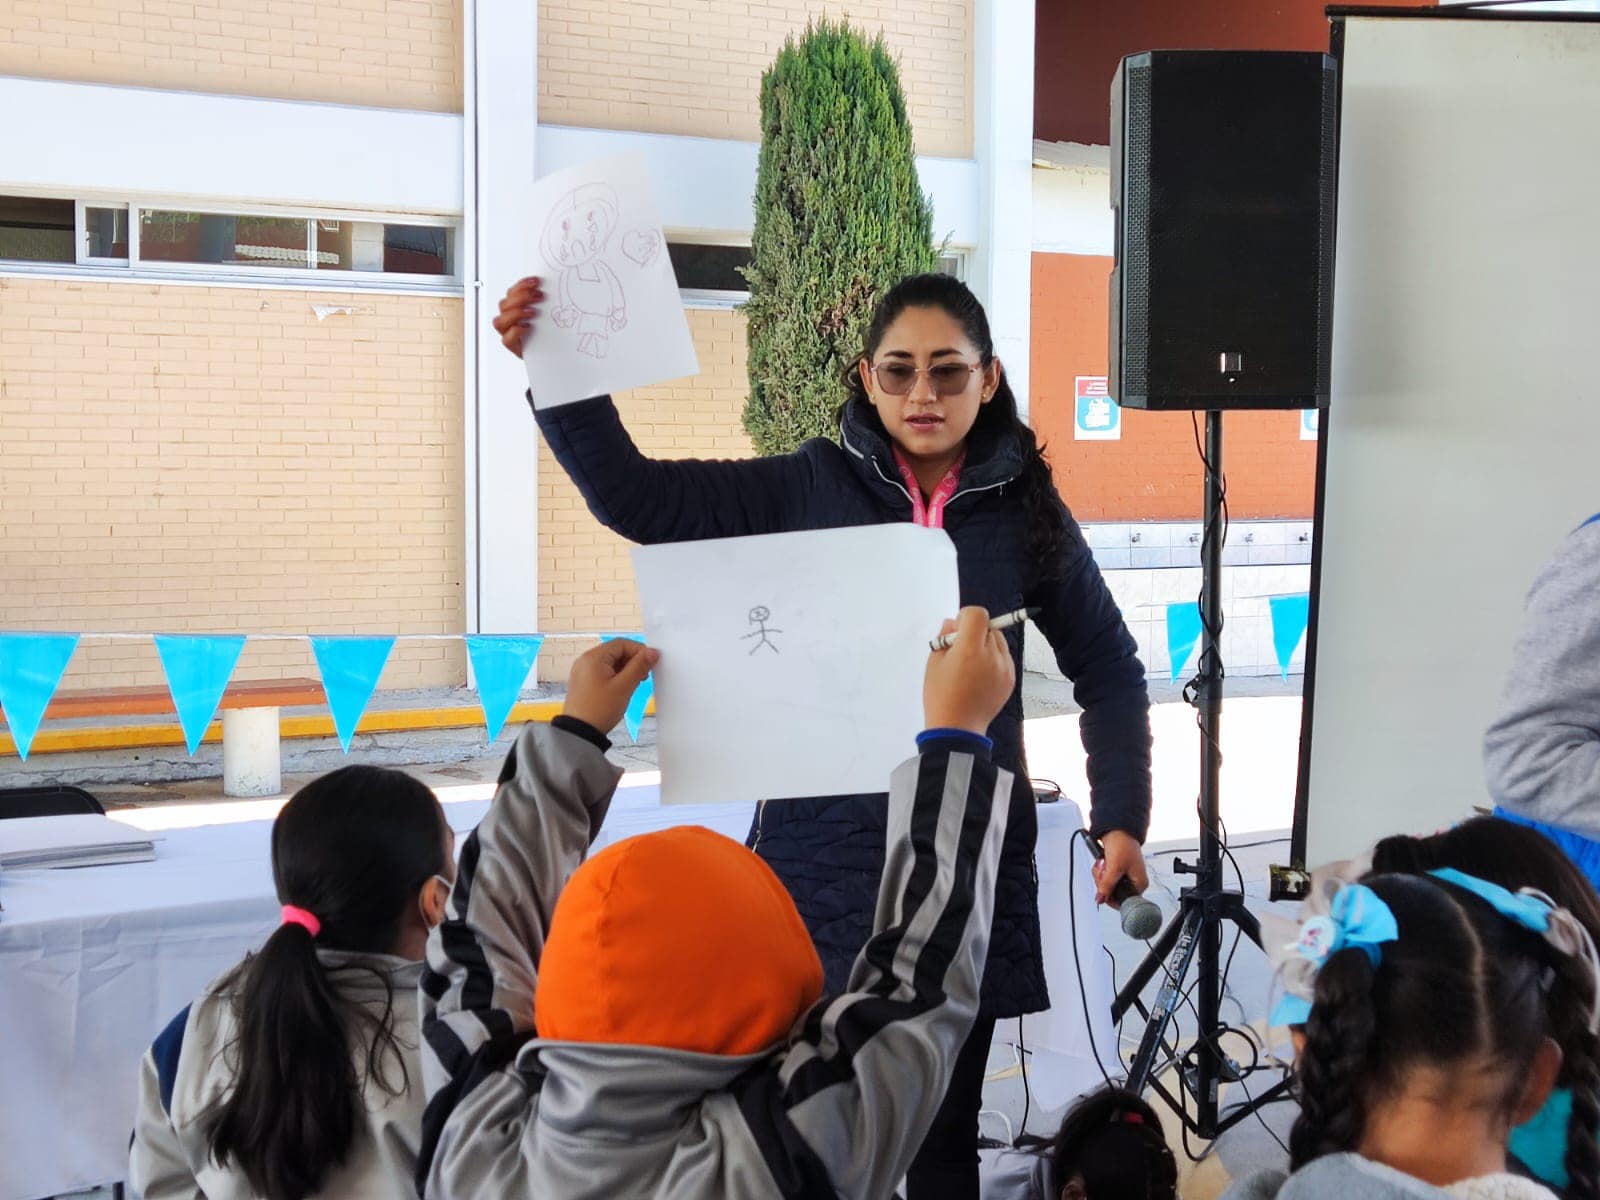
column 1113, row 1142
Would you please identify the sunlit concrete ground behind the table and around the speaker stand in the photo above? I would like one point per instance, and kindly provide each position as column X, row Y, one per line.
column 1260, row 745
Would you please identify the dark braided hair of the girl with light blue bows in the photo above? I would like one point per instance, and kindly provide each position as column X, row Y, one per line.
column 1462, row 986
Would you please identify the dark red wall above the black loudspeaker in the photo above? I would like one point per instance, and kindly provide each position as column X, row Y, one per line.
column 1078, row 46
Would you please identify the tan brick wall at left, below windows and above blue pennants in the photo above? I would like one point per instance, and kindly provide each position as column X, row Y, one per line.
column 218, row 460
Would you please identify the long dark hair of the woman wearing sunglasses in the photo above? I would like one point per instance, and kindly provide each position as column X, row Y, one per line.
column 1047, row 526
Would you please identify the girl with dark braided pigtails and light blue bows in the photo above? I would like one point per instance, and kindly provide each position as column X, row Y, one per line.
column 1433, row 1014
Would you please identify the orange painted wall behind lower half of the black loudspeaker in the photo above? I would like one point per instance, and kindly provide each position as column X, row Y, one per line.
column 1154, row 471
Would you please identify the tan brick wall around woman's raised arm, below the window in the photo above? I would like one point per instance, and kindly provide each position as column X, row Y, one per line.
column 586, row 582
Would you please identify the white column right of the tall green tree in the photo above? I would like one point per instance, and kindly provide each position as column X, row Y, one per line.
column 1004, row 146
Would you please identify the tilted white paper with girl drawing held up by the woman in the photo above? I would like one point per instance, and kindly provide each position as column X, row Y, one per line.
column 612, row 318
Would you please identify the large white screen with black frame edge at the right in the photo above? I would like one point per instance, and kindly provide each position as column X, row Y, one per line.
column 1463, row 438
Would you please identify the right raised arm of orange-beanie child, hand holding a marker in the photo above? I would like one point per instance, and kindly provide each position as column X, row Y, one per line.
column 855, row 1097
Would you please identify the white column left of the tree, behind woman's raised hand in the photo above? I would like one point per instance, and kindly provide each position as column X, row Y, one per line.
column 502, row 478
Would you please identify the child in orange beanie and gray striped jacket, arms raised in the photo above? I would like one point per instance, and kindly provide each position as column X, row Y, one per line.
column 649, row 1023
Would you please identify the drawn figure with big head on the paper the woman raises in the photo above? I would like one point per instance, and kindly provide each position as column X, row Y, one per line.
column 590, row 295
